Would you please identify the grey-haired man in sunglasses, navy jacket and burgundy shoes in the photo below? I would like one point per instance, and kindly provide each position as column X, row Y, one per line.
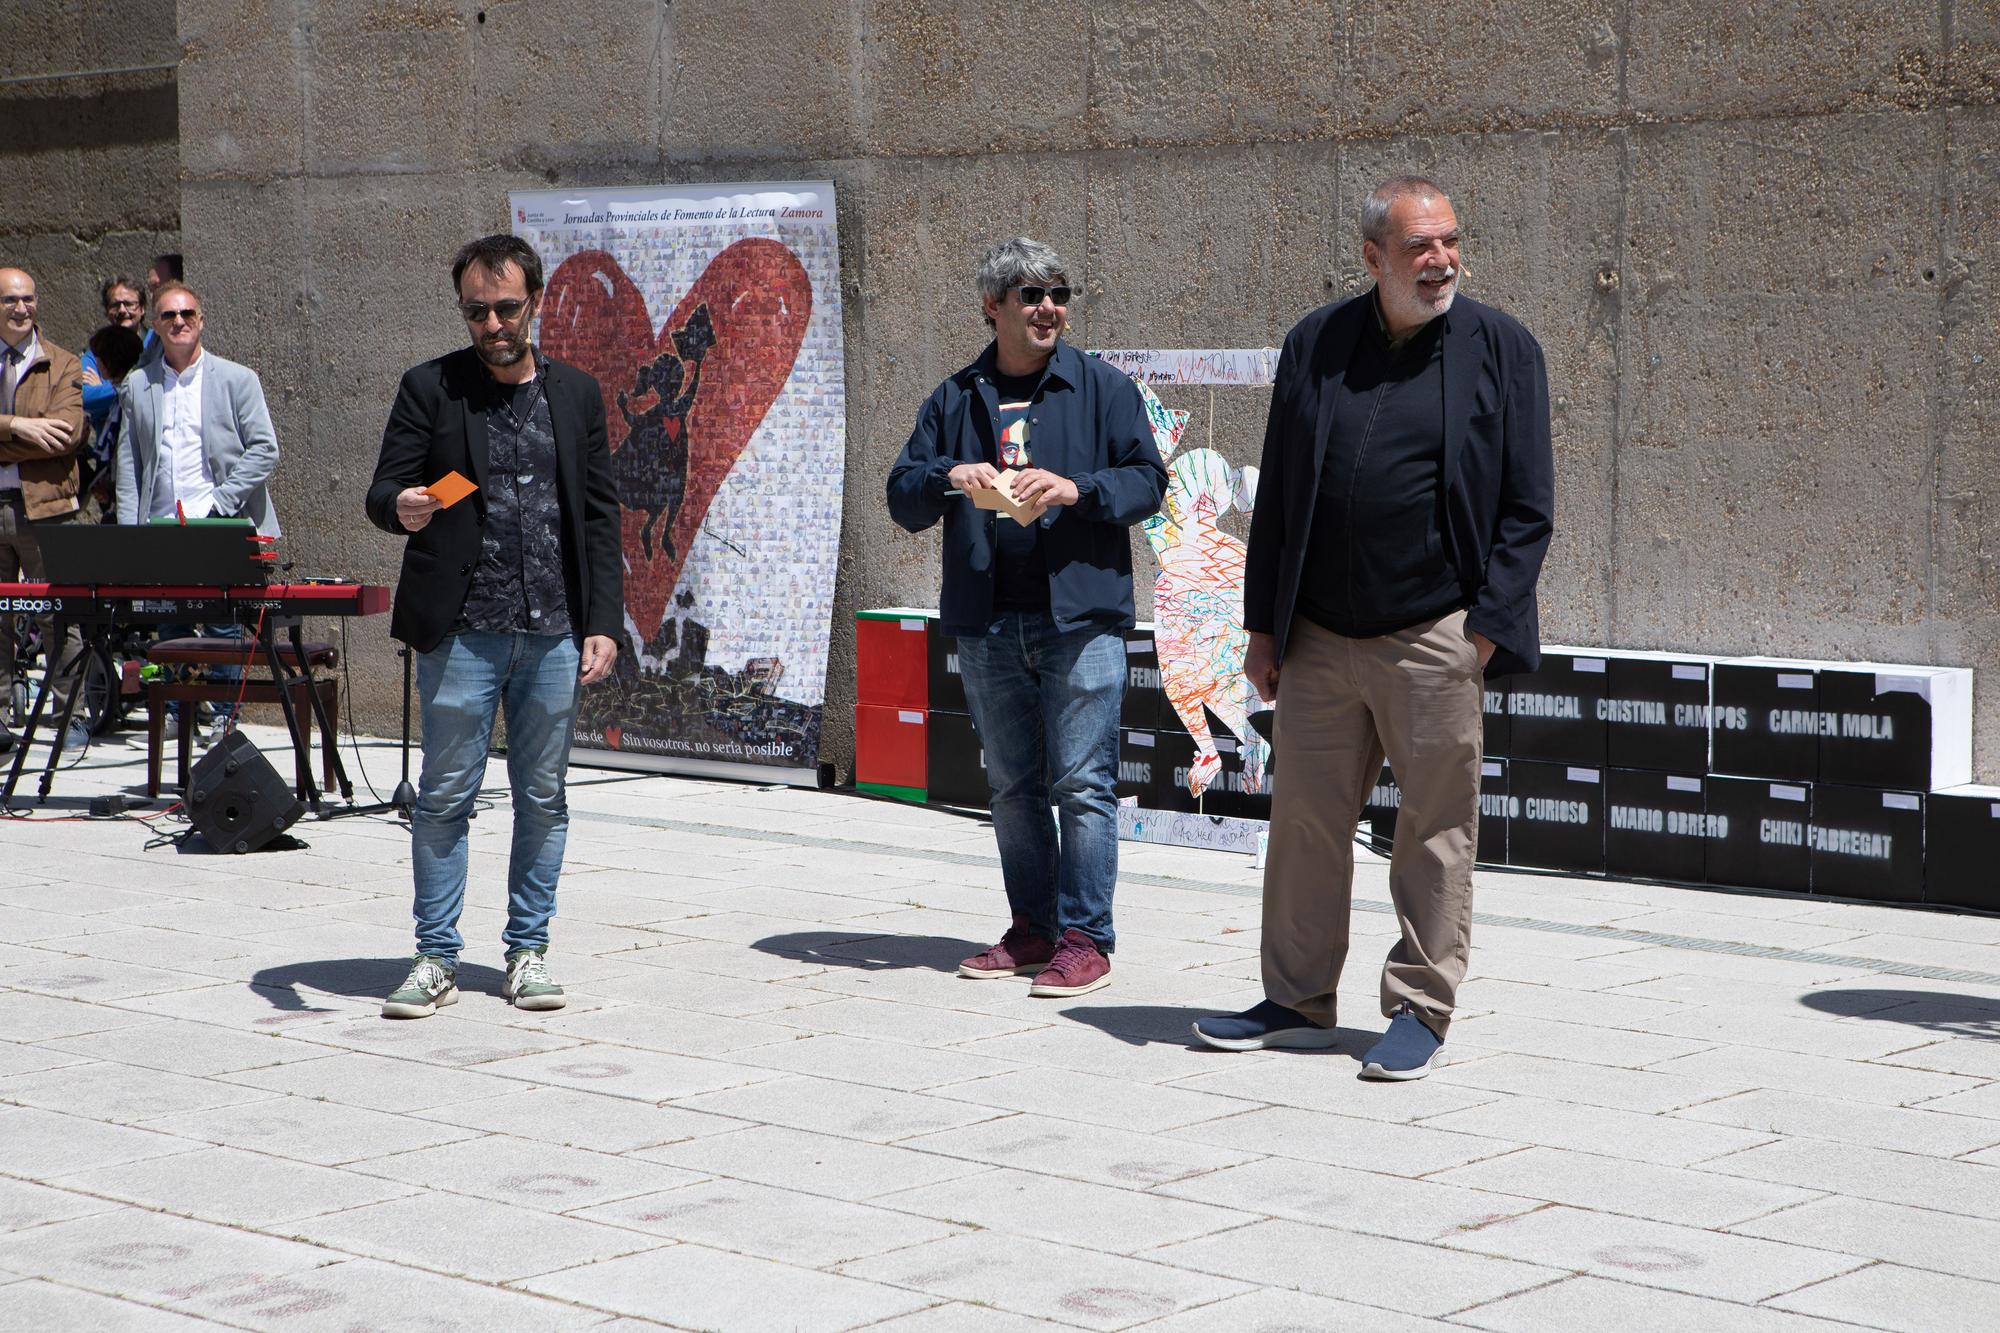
column 1039, row 607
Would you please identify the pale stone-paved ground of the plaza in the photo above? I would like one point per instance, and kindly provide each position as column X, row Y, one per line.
column 773, row 1106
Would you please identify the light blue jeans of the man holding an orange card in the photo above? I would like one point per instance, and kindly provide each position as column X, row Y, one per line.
column 463, row 684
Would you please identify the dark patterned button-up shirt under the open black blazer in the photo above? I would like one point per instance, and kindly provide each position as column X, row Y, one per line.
column 519, row 585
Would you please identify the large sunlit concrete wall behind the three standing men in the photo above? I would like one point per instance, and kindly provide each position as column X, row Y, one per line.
column 1761, row 253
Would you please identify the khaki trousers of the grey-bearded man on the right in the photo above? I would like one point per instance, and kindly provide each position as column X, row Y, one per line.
column 1343, row 706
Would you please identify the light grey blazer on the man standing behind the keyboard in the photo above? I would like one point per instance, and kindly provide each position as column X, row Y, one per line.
column 237, row 437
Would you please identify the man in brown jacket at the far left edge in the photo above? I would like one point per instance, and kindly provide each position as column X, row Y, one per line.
column 41, row 435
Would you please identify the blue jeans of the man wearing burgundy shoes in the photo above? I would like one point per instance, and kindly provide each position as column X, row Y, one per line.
column 1047, row 710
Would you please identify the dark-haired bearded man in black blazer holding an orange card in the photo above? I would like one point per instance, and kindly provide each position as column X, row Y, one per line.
column 511, row 597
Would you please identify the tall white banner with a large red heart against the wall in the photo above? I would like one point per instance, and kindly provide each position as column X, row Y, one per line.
column 711, row 317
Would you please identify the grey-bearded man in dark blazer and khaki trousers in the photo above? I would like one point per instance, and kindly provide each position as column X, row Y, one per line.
column 1403, row 515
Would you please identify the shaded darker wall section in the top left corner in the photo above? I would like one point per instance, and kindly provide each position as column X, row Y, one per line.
column 91, row 163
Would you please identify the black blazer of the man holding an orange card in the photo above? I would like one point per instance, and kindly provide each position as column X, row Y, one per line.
column 437, row 427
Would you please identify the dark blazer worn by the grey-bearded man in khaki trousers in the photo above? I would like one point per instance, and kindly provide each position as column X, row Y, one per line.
column 1499, row 471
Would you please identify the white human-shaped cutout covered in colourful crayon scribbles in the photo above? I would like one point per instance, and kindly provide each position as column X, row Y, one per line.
column 1199, row 599
